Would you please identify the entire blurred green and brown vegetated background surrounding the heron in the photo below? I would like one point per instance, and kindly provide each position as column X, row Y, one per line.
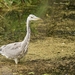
column 52, row 45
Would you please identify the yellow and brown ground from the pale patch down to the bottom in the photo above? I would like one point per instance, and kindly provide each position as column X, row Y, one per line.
column 51, row 56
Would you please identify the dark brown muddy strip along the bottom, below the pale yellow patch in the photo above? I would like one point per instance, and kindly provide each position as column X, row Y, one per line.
column 65, row 66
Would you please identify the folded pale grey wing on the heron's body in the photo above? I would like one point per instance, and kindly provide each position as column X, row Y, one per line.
column 11, row 50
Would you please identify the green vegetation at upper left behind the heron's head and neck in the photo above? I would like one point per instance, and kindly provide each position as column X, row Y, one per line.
column 13, row 17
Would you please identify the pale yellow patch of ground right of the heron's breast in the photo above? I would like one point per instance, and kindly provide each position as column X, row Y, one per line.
column 50, row 48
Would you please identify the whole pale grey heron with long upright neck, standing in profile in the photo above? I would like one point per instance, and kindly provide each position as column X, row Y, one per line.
column 17, row 50
